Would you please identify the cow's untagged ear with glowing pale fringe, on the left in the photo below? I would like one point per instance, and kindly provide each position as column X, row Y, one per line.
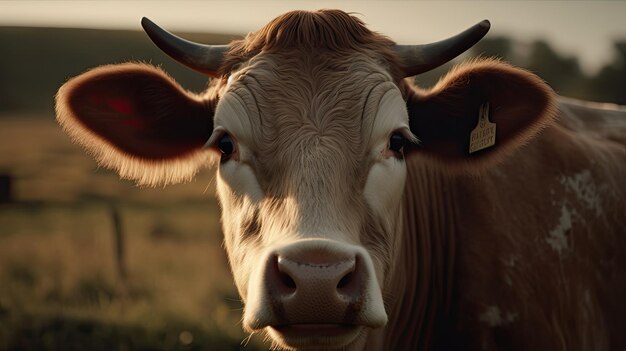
column 137, row 120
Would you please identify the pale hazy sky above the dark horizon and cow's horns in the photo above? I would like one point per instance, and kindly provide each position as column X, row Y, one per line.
column 582, row 28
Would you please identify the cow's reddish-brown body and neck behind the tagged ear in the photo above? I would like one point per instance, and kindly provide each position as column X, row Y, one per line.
column 527, row 255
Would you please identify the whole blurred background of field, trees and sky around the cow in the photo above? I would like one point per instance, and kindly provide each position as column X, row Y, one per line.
column 91, row 262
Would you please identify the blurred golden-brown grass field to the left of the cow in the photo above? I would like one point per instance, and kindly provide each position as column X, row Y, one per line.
column 63, row 285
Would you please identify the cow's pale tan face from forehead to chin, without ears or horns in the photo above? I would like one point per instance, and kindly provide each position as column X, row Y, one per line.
column 310, row 181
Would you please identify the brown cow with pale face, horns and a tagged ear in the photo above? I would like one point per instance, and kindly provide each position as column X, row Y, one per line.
column 360, row 211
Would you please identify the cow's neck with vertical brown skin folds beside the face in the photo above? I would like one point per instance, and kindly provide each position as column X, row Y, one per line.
column 422, row 288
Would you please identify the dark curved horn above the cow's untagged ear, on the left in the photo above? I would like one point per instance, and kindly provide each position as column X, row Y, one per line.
column 199, row 57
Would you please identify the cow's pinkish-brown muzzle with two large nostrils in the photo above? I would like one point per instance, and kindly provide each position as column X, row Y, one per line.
column 315, row 288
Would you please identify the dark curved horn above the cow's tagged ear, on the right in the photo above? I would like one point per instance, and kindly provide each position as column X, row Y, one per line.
column 422, row 58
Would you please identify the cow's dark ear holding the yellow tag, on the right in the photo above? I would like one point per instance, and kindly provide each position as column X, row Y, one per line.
column 445, row 118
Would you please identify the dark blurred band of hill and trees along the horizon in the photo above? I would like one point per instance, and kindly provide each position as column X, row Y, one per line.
column 36, row 61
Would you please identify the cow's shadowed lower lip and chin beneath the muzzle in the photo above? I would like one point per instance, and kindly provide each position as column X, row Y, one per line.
column 315, row 336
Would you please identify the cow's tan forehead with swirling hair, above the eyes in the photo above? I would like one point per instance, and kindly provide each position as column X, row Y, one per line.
column 295, row 96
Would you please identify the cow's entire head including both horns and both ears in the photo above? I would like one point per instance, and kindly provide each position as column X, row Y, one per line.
column 311, row 122
